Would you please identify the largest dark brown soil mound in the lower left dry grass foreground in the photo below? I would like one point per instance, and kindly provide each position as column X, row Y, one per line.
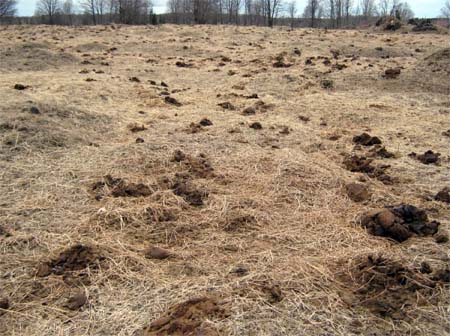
column 75, row 258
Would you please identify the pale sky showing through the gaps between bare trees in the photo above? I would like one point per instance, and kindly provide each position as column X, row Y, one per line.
column 422, row 8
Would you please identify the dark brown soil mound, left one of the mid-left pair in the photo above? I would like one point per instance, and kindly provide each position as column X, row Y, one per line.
column 118, row 187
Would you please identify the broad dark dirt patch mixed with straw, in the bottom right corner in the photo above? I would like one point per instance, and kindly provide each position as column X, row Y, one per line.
column 386, row 287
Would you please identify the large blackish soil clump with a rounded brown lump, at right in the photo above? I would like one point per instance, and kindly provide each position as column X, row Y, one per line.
column 399, row 223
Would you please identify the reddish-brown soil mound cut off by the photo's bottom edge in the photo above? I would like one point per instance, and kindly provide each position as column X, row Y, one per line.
column 186, row 318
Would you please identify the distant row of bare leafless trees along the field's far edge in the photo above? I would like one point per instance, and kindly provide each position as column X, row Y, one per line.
column 317, row 13
